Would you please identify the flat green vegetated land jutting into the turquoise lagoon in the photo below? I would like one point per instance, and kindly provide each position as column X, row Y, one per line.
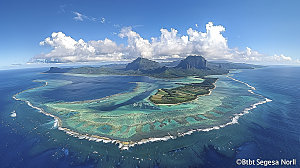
column 184, row 93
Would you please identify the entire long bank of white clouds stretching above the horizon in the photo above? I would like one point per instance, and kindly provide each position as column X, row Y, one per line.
column 169, row 45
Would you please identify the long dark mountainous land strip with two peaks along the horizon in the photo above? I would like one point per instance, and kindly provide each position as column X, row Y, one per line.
column 190, row 66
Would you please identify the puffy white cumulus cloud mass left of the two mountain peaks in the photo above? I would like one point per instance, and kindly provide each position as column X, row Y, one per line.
column 66, row 49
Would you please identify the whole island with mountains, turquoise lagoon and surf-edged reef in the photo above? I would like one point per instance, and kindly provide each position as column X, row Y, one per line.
column 142, row 101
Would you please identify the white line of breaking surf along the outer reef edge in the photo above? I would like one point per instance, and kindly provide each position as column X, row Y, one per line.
column 125, row 145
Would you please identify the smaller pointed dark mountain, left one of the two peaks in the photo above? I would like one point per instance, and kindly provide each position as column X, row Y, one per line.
column 142, row 64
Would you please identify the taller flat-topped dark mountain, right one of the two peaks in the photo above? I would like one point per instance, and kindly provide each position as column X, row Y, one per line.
column 193, row 62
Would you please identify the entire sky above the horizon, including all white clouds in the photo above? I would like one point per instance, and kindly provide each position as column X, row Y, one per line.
column 253, row 31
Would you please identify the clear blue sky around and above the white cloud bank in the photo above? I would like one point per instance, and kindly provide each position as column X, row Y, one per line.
column 268, row 27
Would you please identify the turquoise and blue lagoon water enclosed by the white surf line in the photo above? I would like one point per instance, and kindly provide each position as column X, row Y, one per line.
column 129, row 115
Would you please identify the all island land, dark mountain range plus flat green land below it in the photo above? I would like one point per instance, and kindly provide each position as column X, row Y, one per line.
column 190, row 66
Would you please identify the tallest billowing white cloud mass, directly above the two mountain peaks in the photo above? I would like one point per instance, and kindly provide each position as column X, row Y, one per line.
column 210, row 44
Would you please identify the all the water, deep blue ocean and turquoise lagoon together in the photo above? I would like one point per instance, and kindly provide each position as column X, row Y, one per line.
column 119, row 109
